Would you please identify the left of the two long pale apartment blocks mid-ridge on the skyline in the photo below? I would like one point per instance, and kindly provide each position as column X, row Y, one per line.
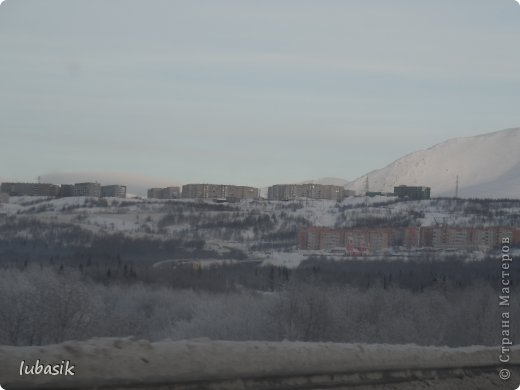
column 219, row 191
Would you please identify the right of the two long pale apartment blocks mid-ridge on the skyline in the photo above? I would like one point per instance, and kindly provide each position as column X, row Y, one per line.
column 311, row 191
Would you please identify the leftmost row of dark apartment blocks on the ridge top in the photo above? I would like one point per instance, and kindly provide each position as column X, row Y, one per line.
column 64, row 190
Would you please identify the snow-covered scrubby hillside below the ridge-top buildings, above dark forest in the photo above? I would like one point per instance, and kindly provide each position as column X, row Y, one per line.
column 265, row 230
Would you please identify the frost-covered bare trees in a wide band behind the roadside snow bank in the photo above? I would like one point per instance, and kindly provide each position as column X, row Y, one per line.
column 42, row 306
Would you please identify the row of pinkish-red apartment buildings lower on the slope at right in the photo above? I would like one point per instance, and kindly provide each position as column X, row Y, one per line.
column 360, row 240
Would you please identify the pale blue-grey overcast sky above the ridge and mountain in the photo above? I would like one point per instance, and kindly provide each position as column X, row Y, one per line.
column 248, row 92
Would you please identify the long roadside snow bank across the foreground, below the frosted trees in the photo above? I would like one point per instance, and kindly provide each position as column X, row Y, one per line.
column 118, row 361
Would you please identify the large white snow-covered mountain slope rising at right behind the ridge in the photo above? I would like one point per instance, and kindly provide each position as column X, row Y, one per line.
column 487, row 165
